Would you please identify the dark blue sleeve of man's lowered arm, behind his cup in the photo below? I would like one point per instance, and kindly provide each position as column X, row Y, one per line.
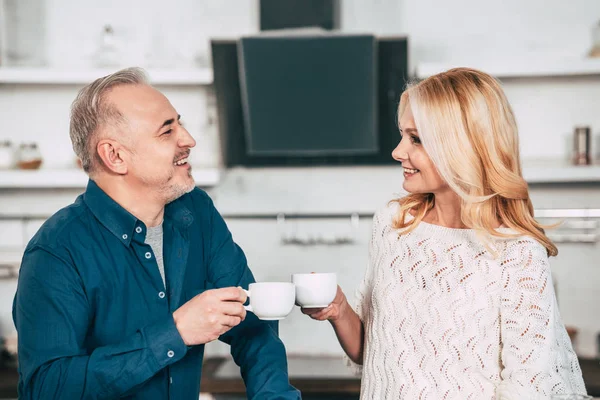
column 255, row 344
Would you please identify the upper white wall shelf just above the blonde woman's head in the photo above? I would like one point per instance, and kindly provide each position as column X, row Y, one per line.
column 523, row 69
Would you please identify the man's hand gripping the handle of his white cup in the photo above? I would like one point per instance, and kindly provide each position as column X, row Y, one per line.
column 210, row 314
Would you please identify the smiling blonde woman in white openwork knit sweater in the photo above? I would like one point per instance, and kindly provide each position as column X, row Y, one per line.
column 457, row 301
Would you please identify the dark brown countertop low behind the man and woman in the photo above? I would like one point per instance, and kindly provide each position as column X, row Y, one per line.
column 312, row 375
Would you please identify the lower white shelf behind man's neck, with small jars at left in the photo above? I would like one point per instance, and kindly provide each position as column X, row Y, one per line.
column 77, row 179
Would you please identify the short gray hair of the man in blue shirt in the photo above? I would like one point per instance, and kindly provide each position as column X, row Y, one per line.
column 89, row 111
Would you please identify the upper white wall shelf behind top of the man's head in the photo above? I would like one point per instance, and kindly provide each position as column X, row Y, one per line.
column 56, row 76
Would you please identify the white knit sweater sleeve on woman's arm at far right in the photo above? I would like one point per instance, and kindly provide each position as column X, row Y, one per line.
column 537, row 355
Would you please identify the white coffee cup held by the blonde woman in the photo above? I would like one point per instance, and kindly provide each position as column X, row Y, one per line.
column 315, row 290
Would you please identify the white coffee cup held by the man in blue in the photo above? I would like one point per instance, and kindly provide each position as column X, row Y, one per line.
column 271, row 300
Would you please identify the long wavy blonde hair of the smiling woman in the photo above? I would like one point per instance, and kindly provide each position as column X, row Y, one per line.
column 468, row 129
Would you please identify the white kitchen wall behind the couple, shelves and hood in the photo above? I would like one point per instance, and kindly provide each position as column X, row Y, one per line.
column 463, row 30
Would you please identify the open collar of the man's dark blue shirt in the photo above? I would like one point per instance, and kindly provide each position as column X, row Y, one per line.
column 121, row 222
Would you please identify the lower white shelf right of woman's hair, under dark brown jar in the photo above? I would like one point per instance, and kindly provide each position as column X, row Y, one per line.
column 547, row 171
